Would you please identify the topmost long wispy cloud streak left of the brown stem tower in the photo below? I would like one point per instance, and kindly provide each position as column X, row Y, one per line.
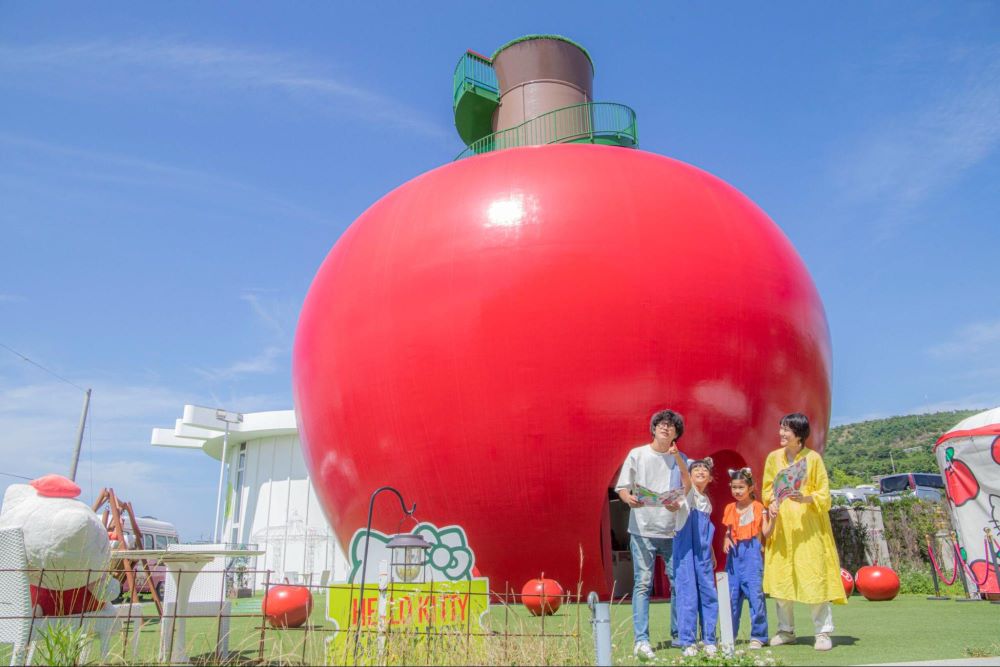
column 162, row 63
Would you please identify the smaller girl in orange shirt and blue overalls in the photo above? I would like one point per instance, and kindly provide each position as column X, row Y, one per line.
column 747, row 525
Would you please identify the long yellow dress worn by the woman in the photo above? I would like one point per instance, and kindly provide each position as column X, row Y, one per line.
column 800, row 556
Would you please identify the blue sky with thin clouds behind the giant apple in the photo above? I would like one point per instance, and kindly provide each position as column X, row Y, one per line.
column 172, row 175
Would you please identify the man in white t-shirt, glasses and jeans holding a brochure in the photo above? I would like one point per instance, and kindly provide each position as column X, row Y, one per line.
column 651, row 529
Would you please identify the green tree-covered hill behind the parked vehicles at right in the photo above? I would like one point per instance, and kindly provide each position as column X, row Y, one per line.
column 856, row 453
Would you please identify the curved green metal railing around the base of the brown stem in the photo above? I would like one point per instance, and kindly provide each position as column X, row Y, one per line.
column 591, row 122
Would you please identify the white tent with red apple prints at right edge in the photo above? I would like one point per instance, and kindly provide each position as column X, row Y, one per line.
column 969, row 458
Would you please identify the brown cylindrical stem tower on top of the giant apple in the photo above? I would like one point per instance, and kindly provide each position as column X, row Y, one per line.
column 541, row 74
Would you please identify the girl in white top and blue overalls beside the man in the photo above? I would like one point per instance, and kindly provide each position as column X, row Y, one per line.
column 694, row 562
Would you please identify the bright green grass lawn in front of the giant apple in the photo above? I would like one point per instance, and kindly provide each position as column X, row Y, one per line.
column 906, row 629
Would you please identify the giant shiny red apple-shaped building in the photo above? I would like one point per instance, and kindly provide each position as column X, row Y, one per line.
column 492, row 337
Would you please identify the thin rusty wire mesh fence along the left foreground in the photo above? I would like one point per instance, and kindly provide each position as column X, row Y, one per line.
column 426, row 623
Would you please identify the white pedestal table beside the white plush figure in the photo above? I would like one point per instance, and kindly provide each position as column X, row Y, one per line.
column 190, row 564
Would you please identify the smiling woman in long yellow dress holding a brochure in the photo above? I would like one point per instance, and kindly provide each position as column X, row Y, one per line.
column 800, row 557
